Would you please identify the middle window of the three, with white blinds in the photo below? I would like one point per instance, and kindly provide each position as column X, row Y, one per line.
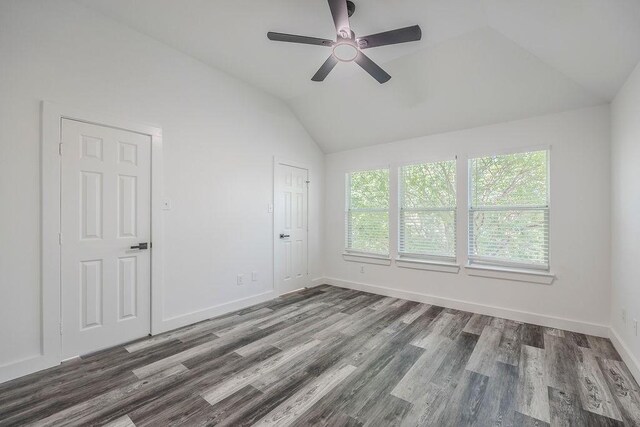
column 427, row 223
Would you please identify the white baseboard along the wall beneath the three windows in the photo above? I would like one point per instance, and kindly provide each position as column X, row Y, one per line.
column 506, row 313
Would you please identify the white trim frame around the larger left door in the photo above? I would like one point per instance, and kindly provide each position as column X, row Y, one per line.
column 50, row 162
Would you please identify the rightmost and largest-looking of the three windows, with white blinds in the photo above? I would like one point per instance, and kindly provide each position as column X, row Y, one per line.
column 509, row 210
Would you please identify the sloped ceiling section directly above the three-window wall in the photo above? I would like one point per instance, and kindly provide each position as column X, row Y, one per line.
column 478, row 79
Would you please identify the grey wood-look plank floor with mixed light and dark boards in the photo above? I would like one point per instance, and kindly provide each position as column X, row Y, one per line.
column 331, row 356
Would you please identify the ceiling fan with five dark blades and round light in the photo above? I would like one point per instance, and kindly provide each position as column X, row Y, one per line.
column 348, row 47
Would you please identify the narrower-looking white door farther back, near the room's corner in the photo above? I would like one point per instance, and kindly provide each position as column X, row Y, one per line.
column 291, row 227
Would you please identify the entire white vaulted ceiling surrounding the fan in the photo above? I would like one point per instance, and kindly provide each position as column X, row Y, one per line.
column 479, row 61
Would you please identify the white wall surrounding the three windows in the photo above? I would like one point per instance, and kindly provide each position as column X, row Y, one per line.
column 579, row 233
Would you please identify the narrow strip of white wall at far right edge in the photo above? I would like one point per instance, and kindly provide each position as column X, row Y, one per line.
column 625, row 215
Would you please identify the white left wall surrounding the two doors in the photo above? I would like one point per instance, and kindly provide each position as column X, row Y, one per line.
column 219, row 135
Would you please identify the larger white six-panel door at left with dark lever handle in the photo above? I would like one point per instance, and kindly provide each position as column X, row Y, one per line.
column 106, row 198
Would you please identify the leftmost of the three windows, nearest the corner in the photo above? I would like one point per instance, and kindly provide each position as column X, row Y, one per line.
column 367, row 212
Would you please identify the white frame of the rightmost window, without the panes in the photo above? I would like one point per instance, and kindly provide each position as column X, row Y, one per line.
column 489, row 262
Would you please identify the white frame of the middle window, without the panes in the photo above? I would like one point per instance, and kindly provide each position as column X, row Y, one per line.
column 403, row 256
